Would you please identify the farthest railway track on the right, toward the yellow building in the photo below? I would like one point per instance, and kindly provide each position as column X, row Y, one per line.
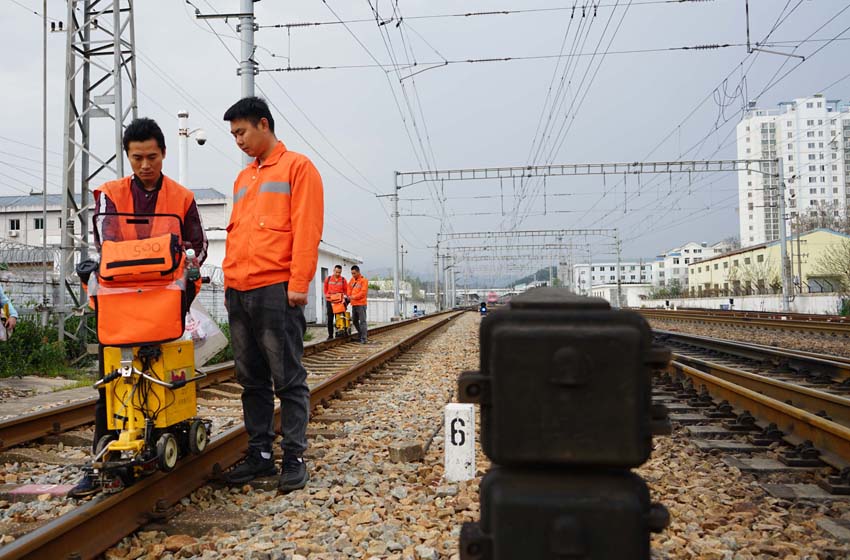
column 829, row 326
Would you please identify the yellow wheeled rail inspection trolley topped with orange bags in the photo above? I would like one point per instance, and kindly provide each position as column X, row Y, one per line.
column 139, row 293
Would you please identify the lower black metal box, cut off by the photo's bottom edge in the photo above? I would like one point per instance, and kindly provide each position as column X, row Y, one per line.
column 559, row 514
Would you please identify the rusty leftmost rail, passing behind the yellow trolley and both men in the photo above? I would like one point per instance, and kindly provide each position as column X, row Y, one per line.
column 36, row 425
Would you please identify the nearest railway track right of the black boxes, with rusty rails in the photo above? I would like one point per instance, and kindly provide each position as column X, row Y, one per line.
column 799, row 398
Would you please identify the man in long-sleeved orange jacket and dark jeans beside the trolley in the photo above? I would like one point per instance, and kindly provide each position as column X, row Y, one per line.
column 270, row 258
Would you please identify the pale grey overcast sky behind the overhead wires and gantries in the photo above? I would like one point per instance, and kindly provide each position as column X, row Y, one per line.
column 360, row 125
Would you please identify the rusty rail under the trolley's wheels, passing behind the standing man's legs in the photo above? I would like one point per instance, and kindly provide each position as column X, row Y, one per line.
column 93, row 527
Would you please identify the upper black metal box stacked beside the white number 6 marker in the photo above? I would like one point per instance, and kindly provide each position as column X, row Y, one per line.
column 565, row 380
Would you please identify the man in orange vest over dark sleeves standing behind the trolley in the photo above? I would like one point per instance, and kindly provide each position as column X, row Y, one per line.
column 146, row 191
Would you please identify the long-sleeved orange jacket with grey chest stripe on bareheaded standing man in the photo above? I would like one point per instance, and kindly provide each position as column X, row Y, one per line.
column 276, row 224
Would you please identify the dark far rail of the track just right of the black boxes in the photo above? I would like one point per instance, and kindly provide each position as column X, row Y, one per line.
column 801, row 361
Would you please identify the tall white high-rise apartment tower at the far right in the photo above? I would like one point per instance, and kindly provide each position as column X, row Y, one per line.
column 811, row 136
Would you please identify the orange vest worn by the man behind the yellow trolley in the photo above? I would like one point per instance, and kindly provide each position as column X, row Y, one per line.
column 173, row 198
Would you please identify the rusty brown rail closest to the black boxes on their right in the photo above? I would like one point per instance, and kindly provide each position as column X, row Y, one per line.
column 828, row 437
